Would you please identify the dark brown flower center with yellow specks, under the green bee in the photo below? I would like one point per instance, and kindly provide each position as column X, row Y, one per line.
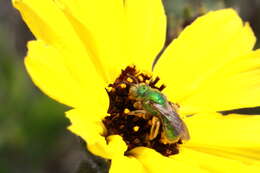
column 136, row 111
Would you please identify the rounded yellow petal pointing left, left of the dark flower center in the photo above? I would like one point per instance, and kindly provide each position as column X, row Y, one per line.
column 48, row 71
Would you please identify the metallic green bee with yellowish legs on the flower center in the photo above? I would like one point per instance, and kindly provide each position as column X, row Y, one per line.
column 152, row 103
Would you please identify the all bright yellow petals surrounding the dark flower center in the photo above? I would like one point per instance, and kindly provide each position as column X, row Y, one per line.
column 81, row 46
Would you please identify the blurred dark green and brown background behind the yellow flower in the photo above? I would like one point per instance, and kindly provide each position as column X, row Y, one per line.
column 33, row 135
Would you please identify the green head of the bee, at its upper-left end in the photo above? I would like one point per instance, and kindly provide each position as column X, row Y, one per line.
column 138, row 91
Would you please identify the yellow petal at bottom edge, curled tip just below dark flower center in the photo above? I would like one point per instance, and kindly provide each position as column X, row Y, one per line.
column 154, row 162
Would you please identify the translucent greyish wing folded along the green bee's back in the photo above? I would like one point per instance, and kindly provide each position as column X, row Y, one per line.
column 168, row 112
